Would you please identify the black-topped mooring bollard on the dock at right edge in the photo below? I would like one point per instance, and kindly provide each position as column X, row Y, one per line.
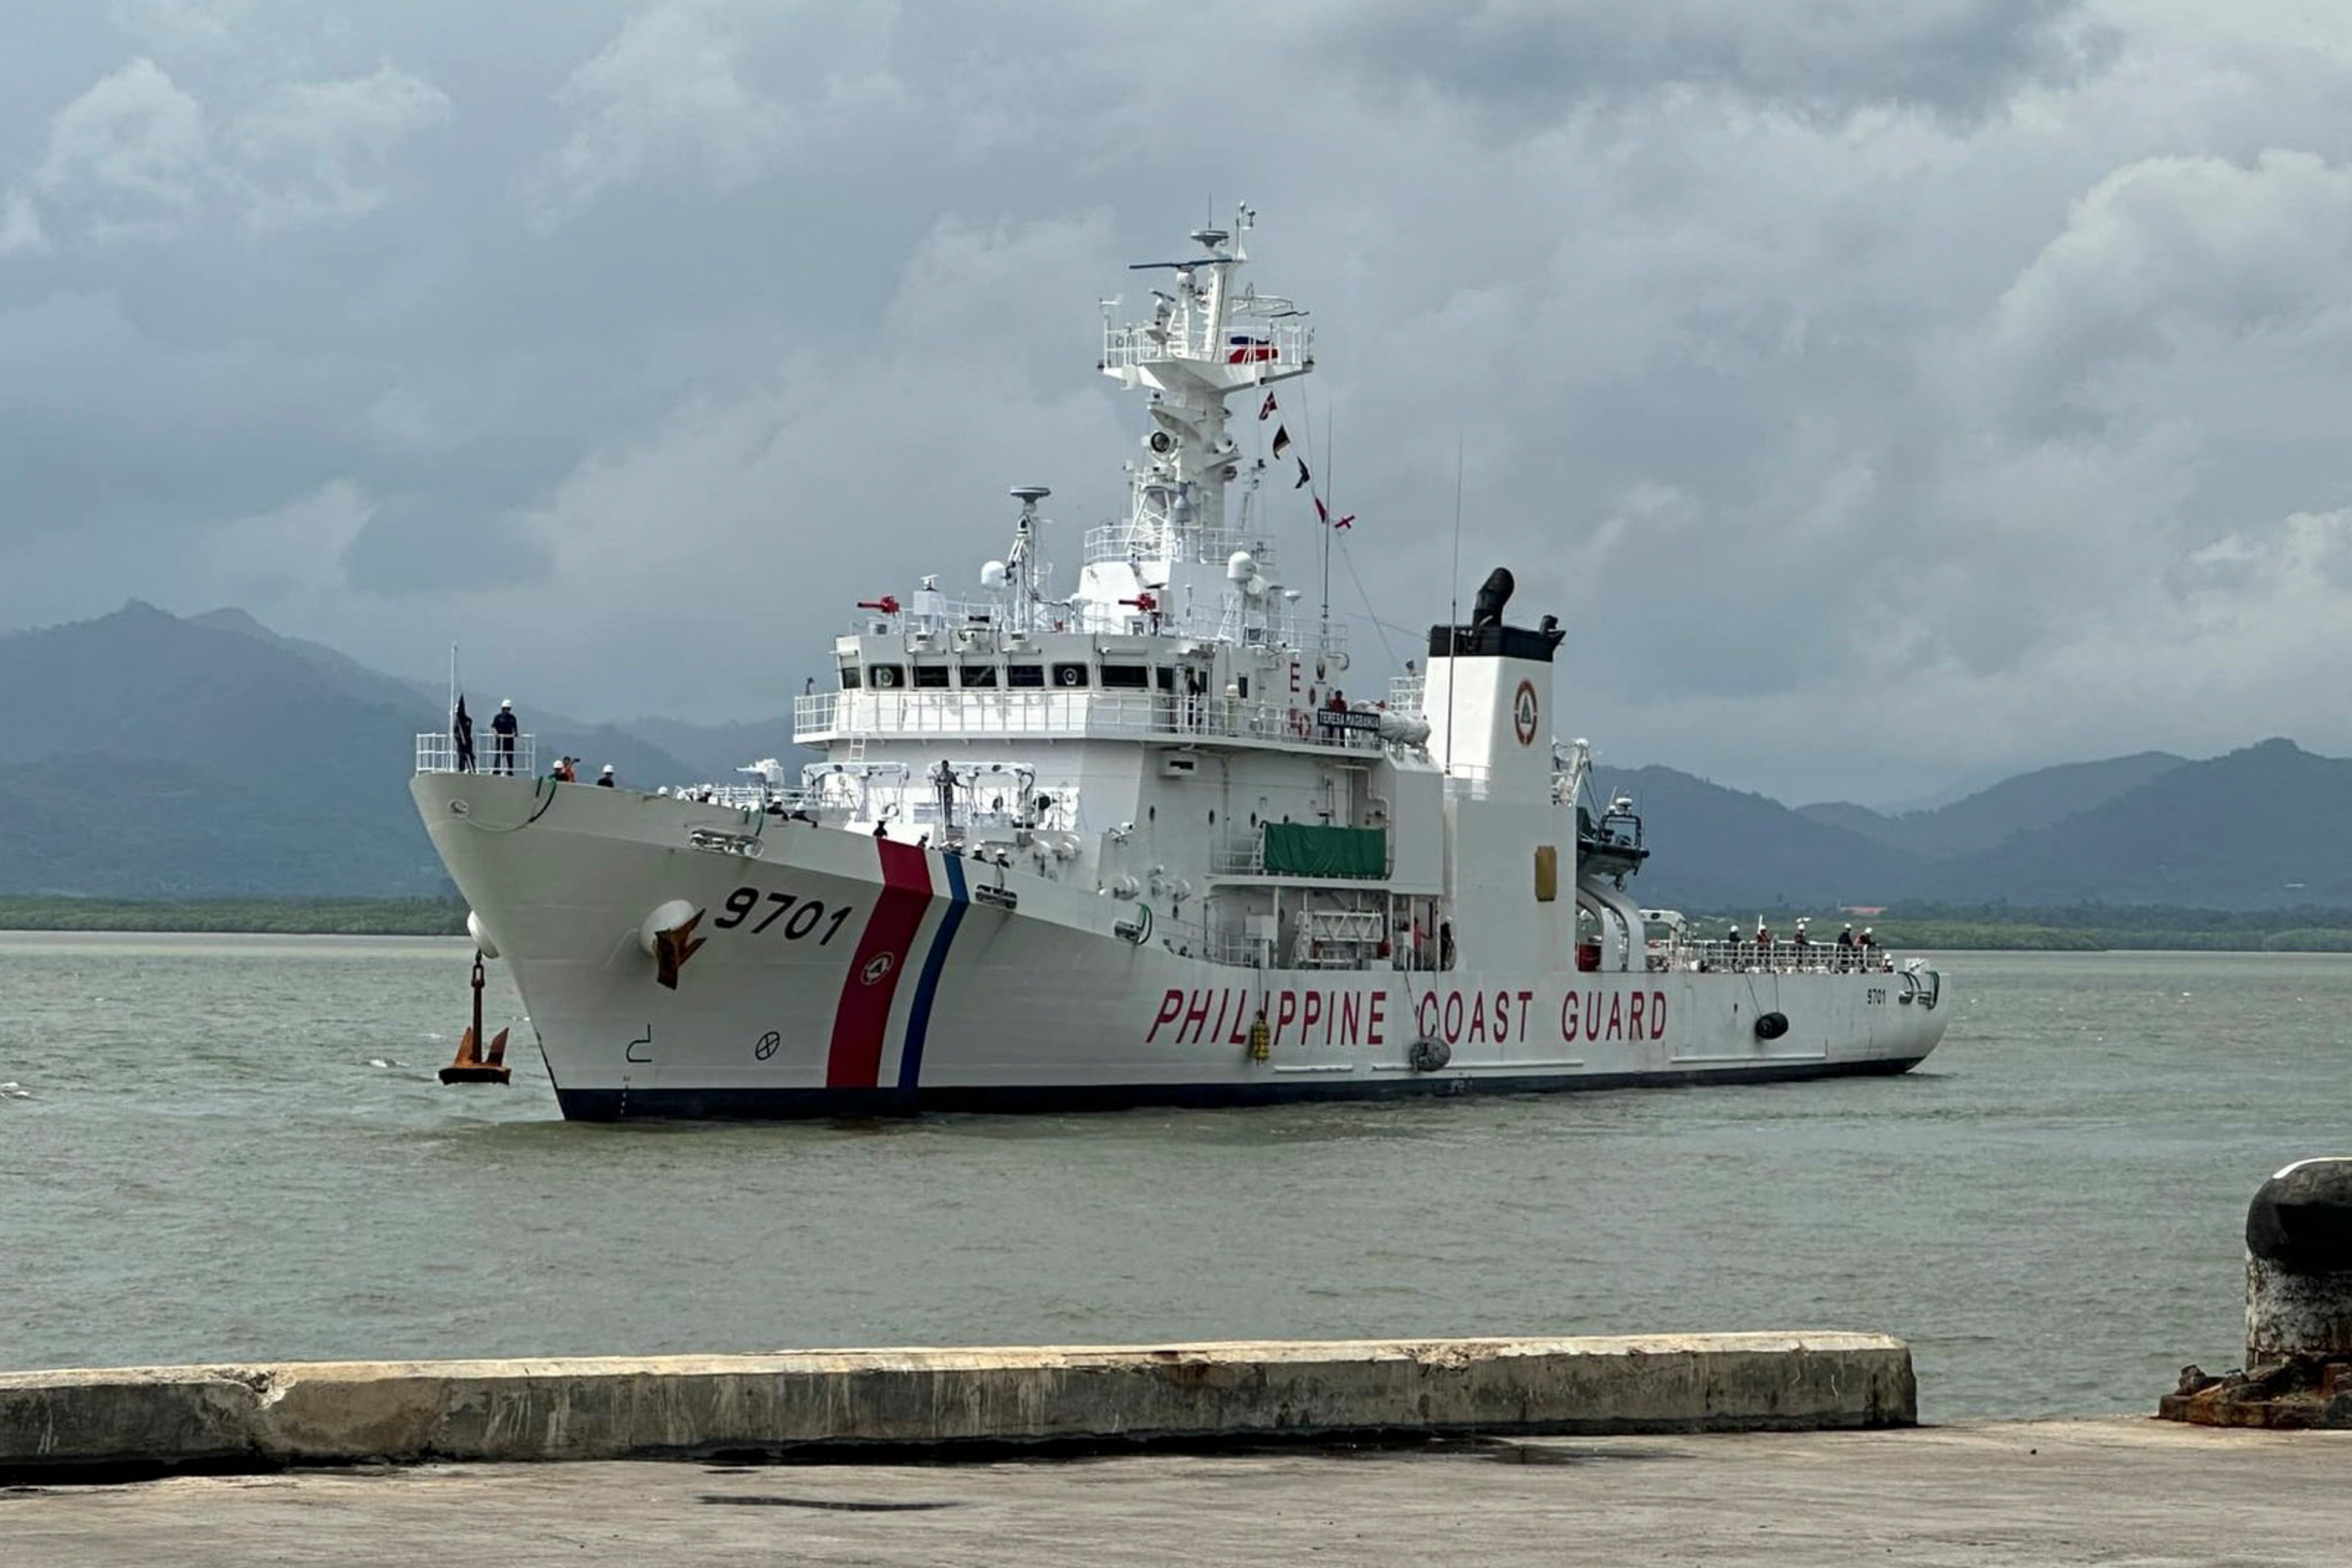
column 2299, row 1311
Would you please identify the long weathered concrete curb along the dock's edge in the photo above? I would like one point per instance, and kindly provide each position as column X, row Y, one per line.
column 326, row 1414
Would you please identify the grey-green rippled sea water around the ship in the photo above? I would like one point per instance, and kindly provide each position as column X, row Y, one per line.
column 236, row 1148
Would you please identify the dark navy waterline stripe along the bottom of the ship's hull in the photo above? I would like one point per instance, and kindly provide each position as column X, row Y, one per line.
column 794, row 1104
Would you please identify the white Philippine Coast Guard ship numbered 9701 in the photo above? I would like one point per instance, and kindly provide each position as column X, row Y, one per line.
column 1130, row 845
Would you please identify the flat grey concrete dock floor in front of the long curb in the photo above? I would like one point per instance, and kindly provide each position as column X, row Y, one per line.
column 2127, row 1492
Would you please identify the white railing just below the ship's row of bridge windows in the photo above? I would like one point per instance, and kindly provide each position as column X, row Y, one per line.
column 1172, row 716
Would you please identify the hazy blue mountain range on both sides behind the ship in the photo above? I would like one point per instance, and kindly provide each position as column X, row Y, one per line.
column 149, row 756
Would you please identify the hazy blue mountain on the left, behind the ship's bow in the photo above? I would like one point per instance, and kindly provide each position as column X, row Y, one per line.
column 145, row 756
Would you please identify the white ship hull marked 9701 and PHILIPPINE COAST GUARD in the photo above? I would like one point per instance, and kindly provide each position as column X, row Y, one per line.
column 829, row 974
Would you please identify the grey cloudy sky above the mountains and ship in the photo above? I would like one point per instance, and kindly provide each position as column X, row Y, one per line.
column 1885, row 396
